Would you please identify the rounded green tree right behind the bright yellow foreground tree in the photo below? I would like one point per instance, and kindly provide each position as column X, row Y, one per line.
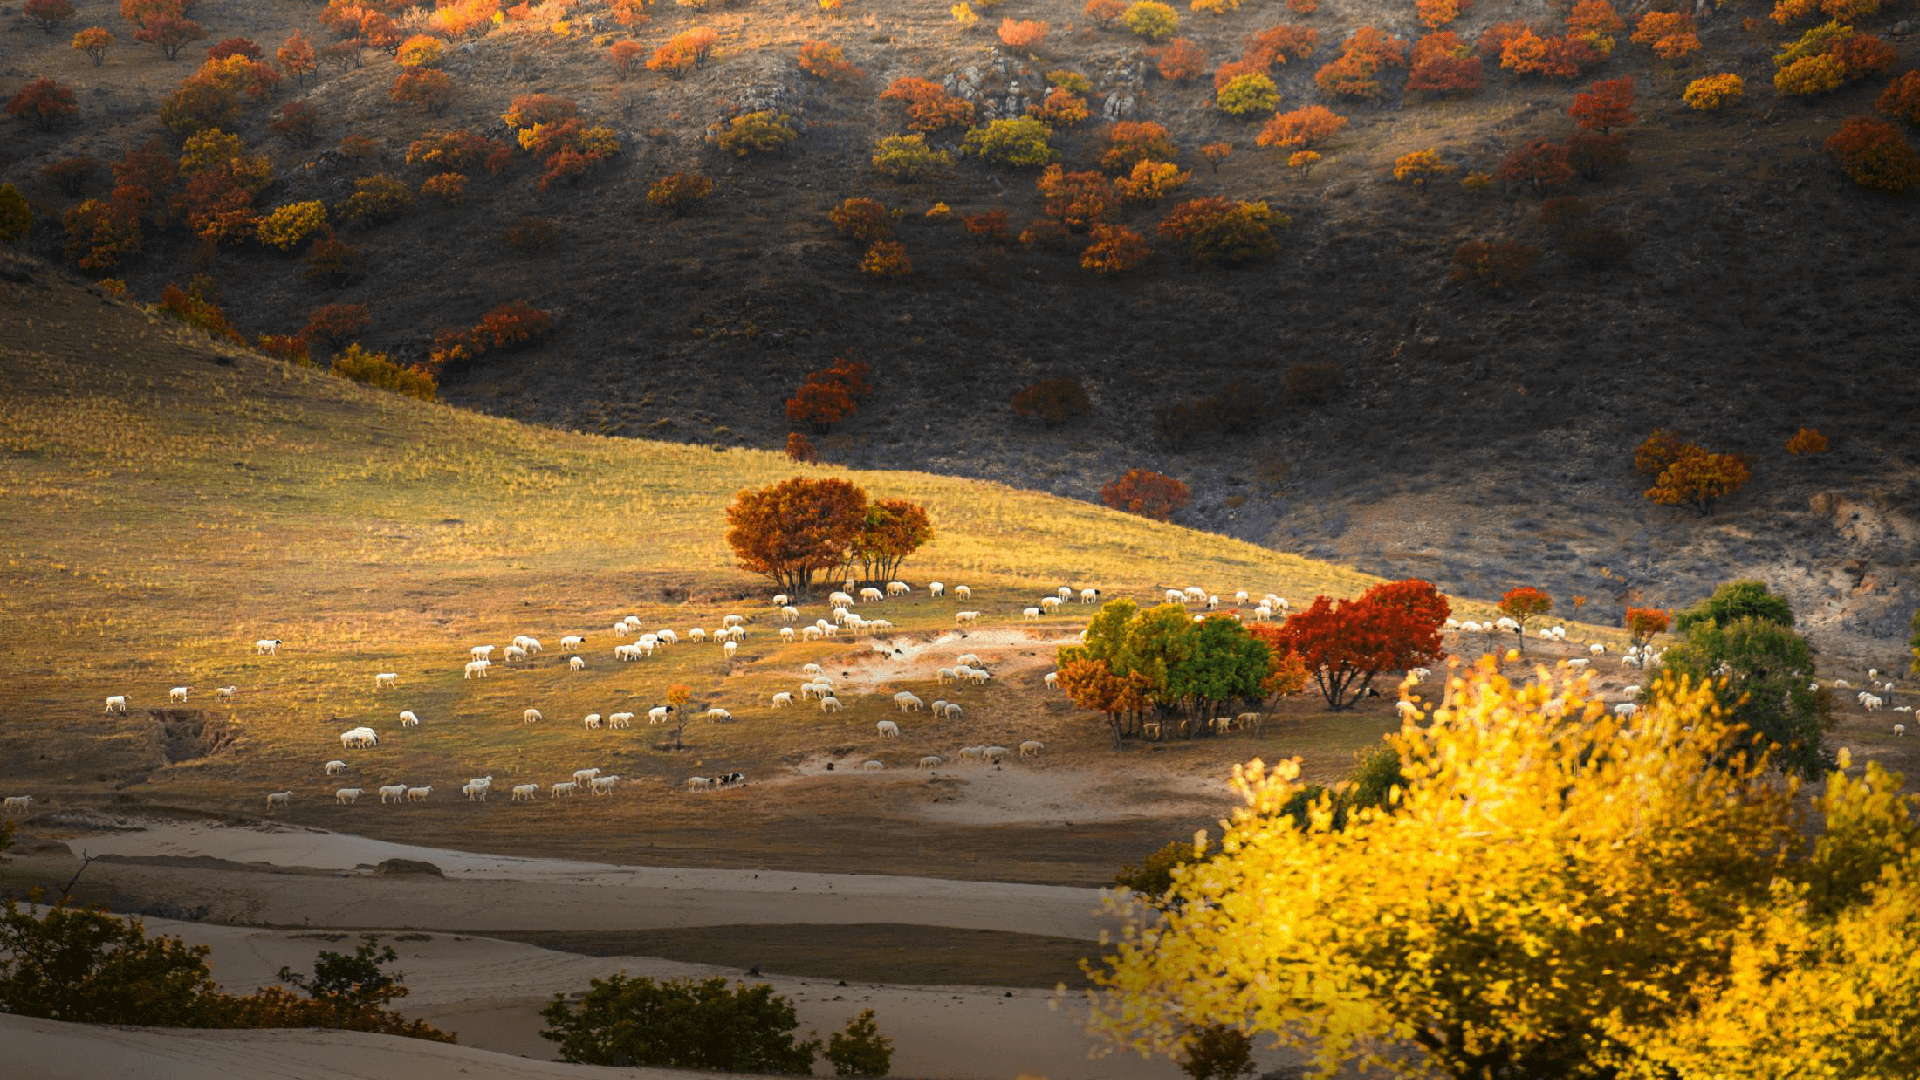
column 1762, row 674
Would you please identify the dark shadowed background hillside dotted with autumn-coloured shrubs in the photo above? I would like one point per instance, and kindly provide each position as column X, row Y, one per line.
column 1476, row 437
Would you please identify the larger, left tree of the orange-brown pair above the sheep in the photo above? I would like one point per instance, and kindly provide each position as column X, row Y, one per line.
column 796, row 529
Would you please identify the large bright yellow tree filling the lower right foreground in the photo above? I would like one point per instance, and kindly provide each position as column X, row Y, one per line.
column 1556, row 893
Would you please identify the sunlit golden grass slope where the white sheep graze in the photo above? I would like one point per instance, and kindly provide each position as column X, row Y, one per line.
column 164, row 504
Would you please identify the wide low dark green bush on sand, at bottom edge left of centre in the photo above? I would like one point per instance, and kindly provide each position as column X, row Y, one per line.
column 681, row 1025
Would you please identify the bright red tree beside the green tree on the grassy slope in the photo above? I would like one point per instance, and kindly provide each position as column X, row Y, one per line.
column 1349, row 643
